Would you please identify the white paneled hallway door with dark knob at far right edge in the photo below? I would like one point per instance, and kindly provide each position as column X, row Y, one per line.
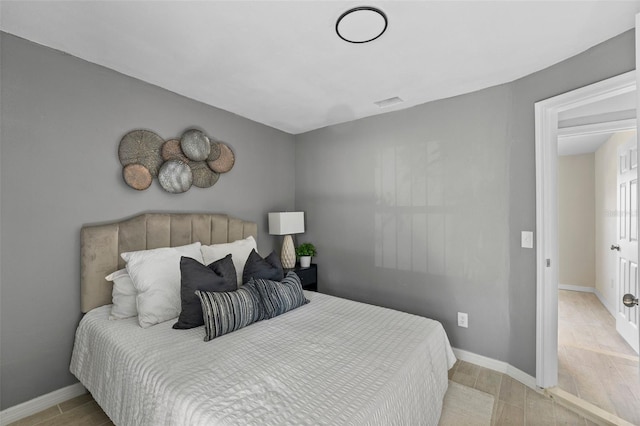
column 627, row 245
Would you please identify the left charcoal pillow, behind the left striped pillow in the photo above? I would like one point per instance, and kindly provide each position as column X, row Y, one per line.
column 218, row 276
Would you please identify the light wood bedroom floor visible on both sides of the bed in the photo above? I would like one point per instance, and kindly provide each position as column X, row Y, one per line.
column 514, row 404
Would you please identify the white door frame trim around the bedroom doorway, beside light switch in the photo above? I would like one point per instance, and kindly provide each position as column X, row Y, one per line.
column 546, row 149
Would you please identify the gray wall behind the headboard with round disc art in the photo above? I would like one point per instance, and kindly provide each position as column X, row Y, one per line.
column 62, row 120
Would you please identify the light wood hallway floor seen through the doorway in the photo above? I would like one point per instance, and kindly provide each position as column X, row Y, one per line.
column 594, row 362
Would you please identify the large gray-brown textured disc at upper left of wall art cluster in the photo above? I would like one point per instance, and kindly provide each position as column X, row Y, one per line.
column 141, row 147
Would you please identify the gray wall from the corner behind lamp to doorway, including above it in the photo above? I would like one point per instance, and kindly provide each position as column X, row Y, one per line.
column 421, row 209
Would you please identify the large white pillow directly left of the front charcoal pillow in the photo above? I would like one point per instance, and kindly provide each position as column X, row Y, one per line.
column 156, row 277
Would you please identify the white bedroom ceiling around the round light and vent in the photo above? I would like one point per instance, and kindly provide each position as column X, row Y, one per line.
column 281, row 63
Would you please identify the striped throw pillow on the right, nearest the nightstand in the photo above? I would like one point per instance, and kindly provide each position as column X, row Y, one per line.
column 279, row 297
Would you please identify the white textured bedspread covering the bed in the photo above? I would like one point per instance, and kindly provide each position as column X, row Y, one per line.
column 331, row 362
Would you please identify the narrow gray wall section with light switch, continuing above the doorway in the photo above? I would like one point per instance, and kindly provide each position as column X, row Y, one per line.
column 606, row 60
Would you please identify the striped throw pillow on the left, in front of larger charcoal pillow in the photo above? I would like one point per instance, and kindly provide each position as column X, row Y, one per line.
column 224, row 312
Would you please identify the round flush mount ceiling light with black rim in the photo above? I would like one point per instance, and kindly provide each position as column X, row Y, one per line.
column 361, row 24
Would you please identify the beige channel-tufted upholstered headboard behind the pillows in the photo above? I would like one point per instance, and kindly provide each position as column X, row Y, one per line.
column 101, row 245
